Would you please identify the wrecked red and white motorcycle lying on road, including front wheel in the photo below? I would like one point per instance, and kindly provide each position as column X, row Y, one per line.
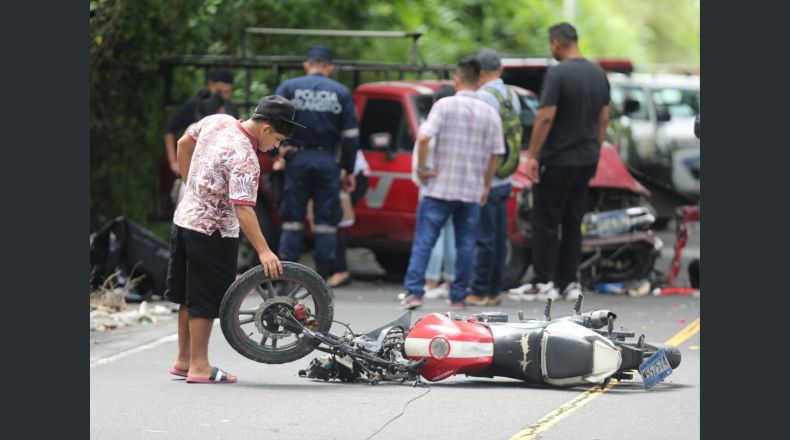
column 285, row 319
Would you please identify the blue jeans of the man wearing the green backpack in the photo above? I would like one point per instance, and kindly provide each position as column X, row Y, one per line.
column 491, row 250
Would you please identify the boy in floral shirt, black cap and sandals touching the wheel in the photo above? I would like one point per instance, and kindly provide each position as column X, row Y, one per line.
column 218, row 164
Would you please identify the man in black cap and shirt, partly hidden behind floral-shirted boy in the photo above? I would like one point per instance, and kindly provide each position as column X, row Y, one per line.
column 220, row 86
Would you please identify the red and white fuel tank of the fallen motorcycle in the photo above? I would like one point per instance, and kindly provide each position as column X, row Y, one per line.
column 450, row 347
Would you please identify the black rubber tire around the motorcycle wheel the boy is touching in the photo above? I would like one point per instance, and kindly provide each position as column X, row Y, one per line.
column 294, row 273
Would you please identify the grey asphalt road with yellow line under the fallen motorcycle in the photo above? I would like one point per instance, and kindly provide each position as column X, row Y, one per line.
column 133, row 396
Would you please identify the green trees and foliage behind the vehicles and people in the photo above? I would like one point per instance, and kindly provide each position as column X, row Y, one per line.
column 127, row 38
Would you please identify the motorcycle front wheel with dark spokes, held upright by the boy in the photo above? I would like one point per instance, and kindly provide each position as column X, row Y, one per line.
column 248, row 311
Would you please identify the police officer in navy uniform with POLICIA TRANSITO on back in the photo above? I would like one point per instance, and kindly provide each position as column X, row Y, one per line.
column 327, row 107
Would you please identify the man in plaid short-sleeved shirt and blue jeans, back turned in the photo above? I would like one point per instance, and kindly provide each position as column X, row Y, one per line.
column 468, row 136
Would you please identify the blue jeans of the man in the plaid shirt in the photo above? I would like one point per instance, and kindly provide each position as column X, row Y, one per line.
column 432, row 214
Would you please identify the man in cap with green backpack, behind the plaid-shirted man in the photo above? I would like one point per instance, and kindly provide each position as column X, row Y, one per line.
column 491, row 246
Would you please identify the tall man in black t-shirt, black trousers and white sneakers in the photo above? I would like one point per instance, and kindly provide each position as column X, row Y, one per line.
column 563, row 155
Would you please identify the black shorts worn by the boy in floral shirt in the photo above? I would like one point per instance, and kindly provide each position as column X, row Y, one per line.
column 201, row 269
